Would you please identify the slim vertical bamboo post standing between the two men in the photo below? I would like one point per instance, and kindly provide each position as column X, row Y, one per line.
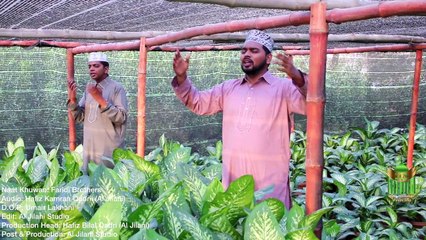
column 141, row 117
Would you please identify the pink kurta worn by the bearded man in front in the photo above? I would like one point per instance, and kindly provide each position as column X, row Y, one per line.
column 256, row 126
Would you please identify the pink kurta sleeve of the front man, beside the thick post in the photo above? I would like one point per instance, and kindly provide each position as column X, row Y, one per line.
column 297, row 98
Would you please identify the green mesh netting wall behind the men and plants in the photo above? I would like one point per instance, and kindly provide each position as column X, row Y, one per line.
column 33, row 93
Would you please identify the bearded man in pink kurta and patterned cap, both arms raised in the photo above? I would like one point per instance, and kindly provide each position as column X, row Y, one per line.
column 257, row 113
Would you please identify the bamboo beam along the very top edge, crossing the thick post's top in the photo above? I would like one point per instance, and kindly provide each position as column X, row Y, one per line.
column 280, row 4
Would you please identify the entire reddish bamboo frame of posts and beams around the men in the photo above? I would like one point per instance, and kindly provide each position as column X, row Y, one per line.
column 318, row 18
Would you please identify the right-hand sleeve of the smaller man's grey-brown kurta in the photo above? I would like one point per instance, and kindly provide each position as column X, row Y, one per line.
column 117, row 108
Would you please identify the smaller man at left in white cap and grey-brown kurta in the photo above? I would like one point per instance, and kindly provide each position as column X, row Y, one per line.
column 103, row 110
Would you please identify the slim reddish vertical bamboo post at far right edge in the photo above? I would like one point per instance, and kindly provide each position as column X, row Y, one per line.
column 414, row 103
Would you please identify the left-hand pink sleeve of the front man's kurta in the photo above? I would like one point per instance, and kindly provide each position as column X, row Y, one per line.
column 206, row 102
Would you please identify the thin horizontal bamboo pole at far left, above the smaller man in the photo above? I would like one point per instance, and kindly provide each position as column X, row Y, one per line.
column 39, row 43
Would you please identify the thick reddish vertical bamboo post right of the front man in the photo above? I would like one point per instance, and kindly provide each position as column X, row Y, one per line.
column 315, row 109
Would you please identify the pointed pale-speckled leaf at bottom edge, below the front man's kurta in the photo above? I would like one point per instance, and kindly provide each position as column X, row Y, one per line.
column 262, row 224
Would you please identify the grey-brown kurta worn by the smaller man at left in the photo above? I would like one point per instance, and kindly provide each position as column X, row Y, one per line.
column 104, row 129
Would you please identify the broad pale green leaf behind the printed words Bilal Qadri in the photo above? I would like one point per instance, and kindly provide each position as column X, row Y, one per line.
column 106, row 222
